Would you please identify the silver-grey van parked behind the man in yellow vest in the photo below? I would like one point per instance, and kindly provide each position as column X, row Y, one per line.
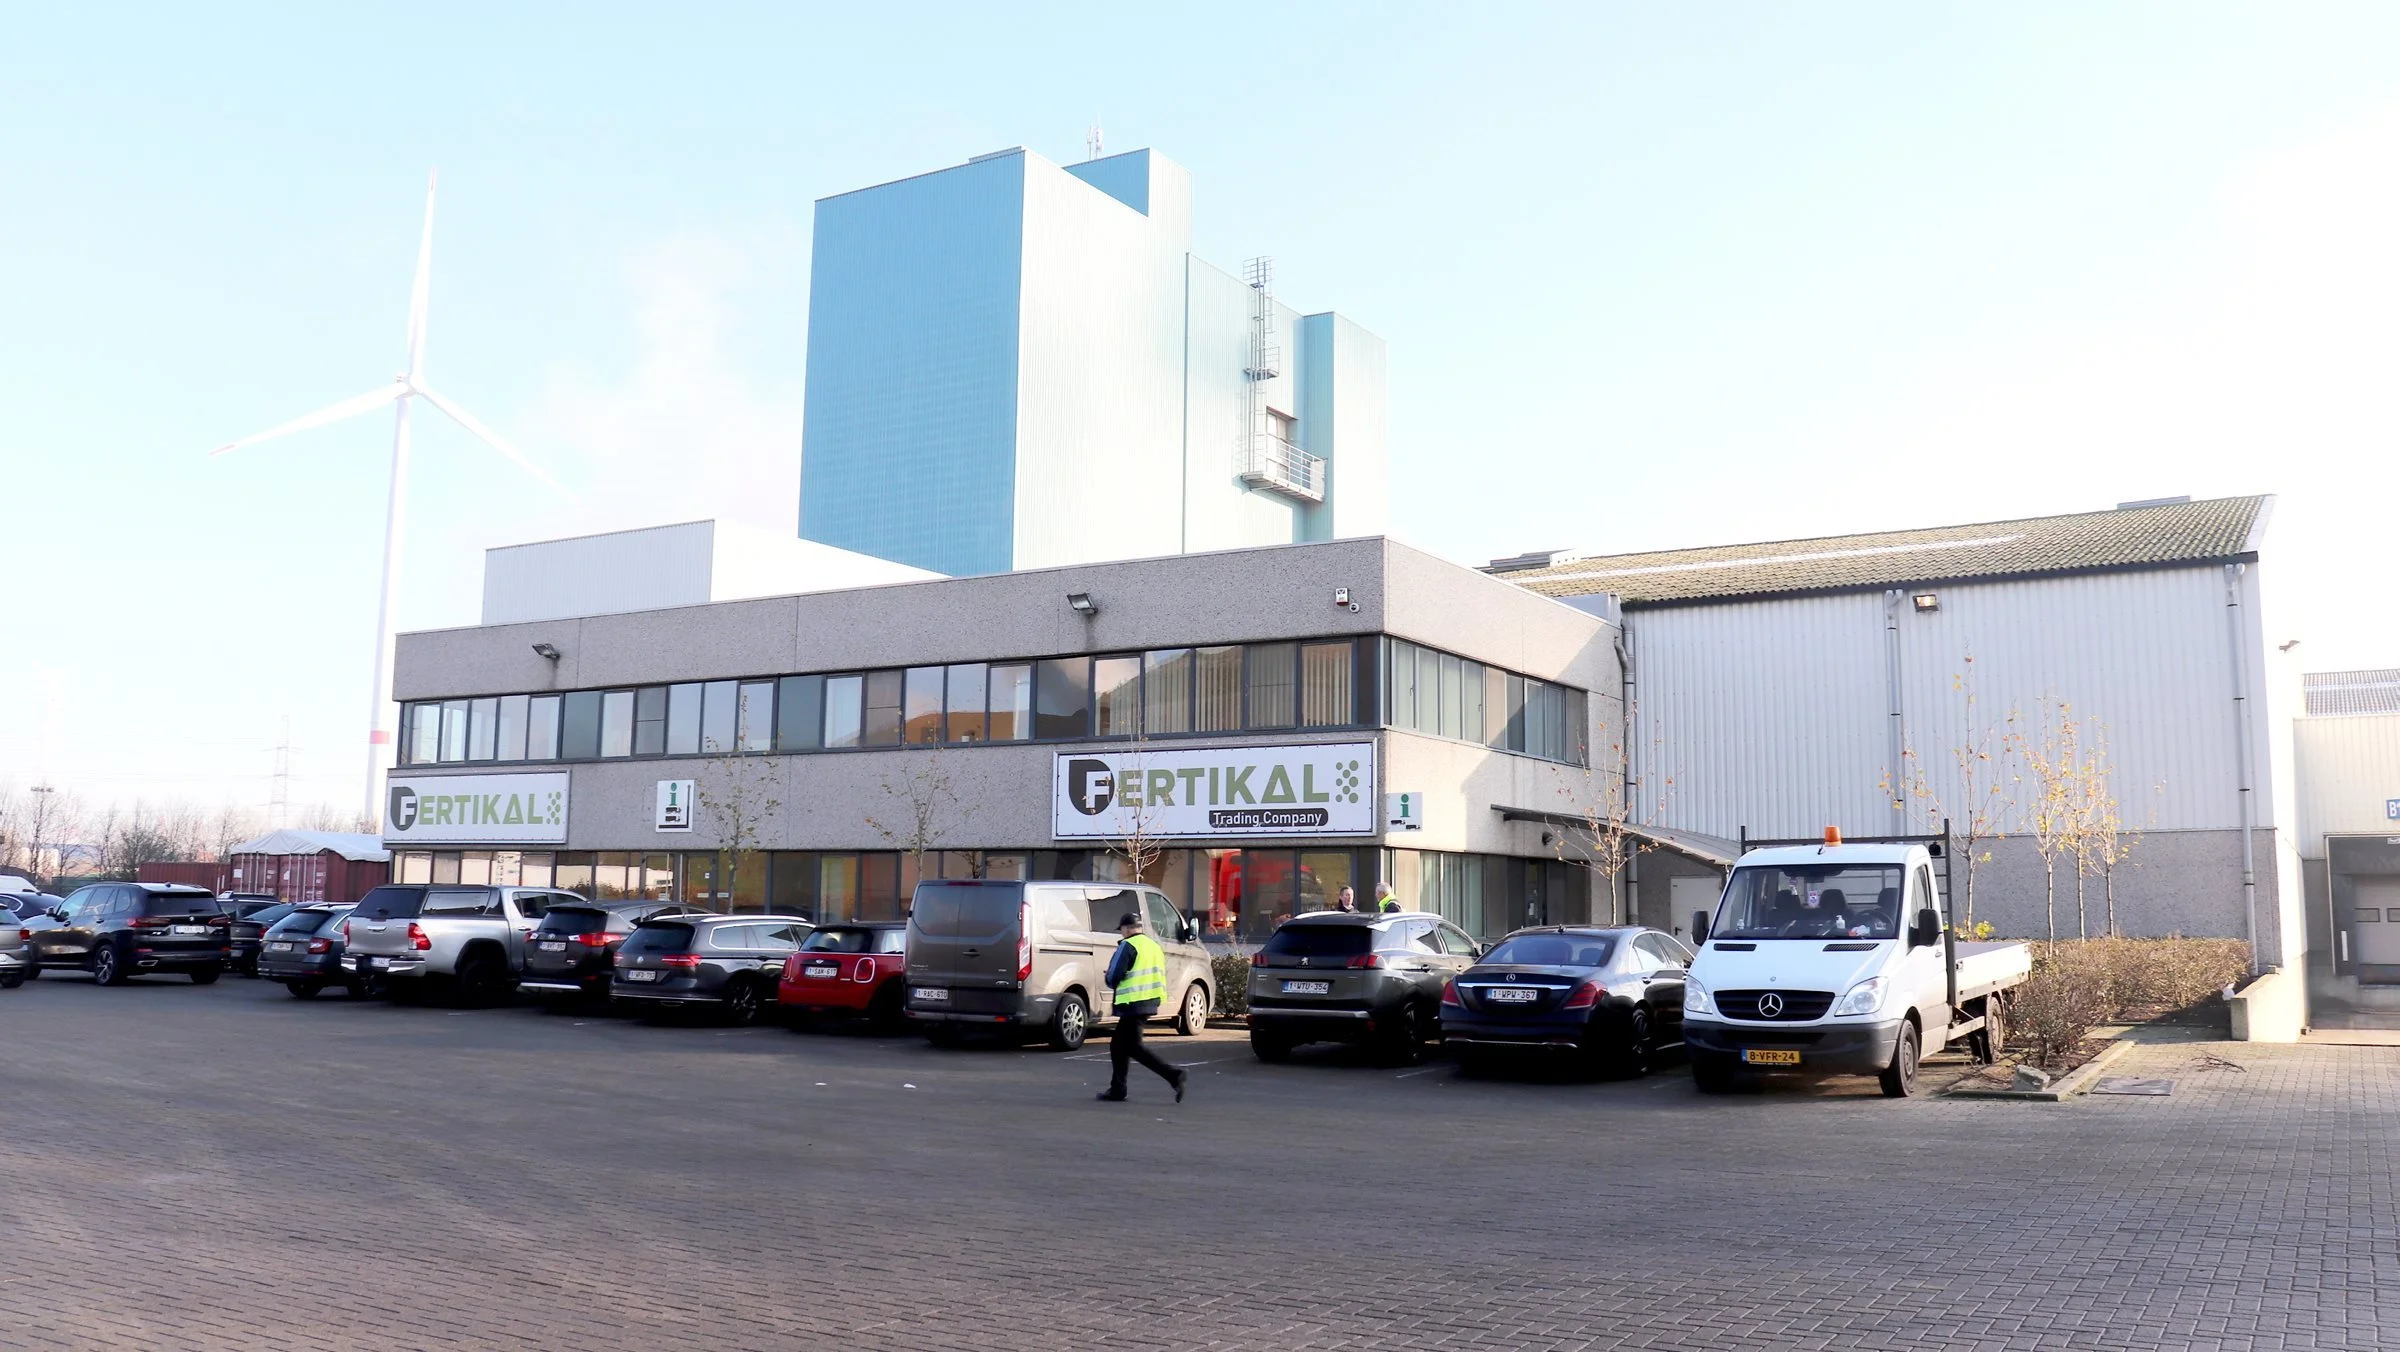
column 1026, row 957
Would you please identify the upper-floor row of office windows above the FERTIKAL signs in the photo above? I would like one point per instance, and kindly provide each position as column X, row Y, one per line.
column 1165, row 693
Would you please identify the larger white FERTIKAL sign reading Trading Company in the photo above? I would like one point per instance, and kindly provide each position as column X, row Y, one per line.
column 1216, row 791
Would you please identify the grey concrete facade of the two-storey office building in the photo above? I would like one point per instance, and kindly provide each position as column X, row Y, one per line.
column 1240, row 597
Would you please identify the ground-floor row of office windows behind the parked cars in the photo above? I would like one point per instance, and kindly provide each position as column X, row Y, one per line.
column 1237, row 897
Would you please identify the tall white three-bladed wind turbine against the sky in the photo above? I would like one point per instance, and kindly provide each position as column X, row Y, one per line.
column 402, row 393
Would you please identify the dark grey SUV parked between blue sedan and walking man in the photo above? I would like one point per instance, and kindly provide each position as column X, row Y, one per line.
column 1343, row 976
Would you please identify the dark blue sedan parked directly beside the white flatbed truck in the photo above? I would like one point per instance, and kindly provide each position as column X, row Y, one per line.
column 1609, row 998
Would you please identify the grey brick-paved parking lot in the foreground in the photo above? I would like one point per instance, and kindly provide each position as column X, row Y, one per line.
column 232, row 1168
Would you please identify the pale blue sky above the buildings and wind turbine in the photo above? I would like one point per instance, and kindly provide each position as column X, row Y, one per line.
column 1648, row 275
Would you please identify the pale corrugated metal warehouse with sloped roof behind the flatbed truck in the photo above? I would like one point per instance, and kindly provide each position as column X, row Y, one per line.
column 1789, row 686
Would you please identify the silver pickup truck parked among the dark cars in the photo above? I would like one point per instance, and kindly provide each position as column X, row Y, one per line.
column 464, row 938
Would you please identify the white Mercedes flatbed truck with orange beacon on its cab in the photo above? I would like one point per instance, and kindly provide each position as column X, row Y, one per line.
column 1837, row 957
